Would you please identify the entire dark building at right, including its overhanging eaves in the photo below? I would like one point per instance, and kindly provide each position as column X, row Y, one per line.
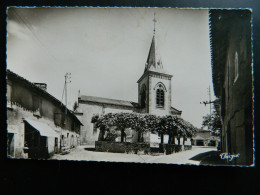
column 232, row 79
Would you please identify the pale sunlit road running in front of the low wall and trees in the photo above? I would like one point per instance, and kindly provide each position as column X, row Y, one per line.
column 178, row 158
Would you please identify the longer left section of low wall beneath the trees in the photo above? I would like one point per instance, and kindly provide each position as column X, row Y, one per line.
column 122, row 147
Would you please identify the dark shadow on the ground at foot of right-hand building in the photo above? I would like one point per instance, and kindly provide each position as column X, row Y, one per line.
column 209, row 158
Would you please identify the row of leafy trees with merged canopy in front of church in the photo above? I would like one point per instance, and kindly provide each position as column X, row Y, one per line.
column 141, row 123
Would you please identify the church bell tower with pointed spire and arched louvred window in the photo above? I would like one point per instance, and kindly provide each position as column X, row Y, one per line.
column 154, row 86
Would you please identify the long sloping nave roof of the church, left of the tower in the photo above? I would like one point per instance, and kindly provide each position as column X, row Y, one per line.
column 101, row 100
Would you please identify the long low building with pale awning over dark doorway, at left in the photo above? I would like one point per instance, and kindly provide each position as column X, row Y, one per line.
column 38, row 125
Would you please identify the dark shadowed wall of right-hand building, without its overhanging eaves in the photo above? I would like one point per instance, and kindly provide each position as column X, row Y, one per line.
column 237, row 106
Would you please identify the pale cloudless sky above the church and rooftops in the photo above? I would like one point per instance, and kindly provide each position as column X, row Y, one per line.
column 105, row 50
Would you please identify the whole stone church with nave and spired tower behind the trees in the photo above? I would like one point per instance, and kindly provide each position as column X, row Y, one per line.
column 154, row 97
